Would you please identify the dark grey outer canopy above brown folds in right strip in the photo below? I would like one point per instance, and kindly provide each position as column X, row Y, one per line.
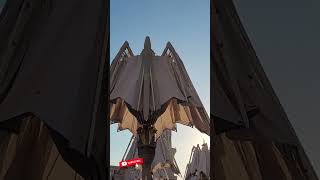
column 243, row 94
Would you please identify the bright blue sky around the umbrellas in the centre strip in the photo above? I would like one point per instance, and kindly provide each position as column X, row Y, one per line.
column 186, row 24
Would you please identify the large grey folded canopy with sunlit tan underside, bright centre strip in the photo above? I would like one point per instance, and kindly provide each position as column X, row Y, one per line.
column 156, row 90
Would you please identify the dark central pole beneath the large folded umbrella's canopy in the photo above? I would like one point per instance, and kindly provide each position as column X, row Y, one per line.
column 146, row 149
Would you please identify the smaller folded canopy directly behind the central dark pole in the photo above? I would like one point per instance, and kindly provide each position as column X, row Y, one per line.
column 164, row 163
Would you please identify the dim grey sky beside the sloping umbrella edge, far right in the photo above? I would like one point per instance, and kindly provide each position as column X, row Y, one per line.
column 285, row 35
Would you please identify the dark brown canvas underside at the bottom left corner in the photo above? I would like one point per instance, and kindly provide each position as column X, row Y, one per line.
column 32, row 154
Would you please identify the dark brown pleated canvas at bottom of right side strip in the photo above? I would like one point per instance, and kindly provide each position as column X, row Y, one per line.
column 245, row 161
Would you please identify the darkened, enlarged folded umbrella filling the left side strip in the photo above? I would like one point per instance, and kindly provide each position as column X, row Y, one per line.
column 52, row 71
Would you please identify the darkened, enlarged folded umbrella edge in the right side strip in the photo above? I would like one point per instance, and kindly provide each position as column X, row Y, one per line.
column 255, row 139
